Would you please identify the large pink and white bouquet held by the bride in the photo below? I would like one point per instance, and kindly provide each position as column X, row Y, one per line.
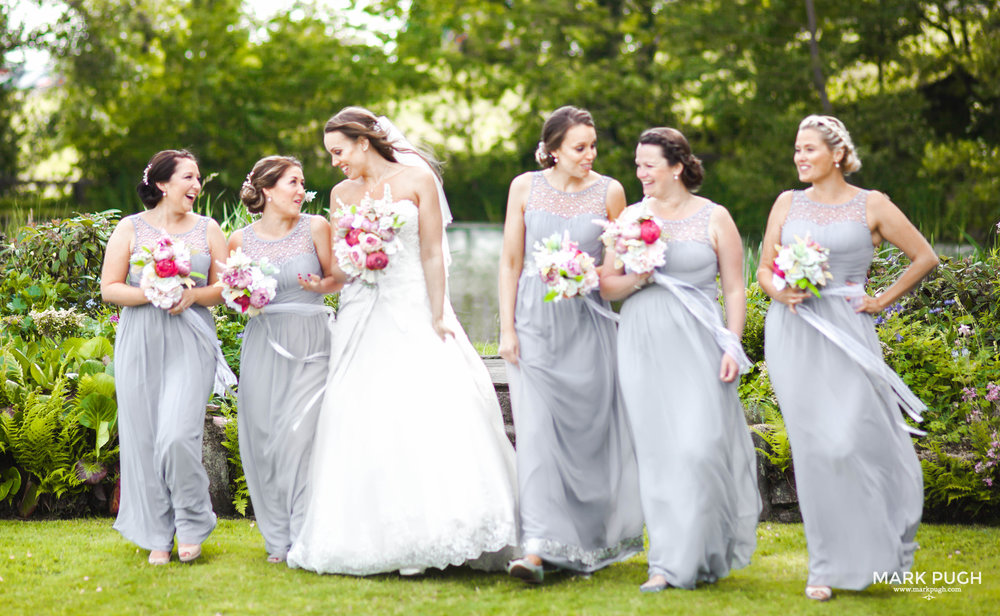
column 366, row 236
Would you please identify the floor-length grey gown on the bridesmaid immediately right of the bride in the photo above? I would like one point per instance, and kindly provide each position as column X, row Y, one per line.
column 577, row 479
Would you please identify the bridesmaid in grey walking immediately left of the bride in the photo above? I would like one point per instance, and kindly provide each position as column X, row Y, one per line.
column 286, row 348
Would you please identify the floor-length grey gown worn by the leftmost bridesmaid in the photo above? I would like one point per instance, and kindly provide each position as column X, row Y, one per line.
column 164, row 372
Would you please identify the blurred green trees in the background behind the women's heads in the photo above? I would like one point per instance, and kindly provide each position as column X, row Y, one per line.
column 914, row 80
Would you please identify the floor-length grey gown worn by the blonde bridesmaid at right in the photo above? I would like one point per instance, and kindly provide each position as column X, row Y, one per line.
column 859, row 482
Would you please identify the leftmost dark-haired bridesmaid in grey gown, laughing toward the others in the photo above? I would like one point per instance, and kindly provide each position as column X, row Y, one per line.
column 166, row 362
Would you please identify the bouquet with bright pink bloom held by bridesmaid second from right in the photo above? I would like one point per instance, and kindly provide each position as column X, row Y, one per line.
column 637, row 239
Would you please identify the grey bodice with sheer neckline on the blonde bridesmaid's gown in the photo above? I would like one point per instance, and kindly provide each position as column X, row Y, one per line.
column 843, row 229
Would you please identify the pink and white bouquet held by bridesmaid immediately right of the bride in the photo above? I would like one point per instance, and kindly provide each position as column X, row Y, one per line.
column 564, row 268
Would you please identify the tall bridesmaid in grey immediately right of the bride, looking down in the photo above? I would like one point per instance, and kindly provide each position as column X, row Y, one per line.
column 578, row 489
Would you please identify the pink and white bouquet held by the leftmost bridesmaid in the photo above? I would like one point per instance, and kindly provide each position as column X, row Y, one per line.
column 166, row 271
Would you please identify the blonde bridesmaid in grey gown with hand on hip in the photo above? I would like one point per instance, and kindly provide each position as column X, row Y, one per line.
column 859, row 482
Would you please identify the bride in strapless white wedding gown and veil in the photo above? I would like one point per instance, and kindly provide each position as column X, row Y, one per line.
column 411, row 467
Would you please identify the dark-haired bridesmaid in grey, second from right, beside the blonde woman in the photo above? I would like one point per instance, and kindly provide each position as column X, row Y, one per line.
column 679, row 368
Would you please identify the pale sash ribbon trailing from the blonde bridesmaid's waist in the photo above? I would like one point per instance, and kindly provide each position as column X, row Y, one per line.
column 874, row 366
